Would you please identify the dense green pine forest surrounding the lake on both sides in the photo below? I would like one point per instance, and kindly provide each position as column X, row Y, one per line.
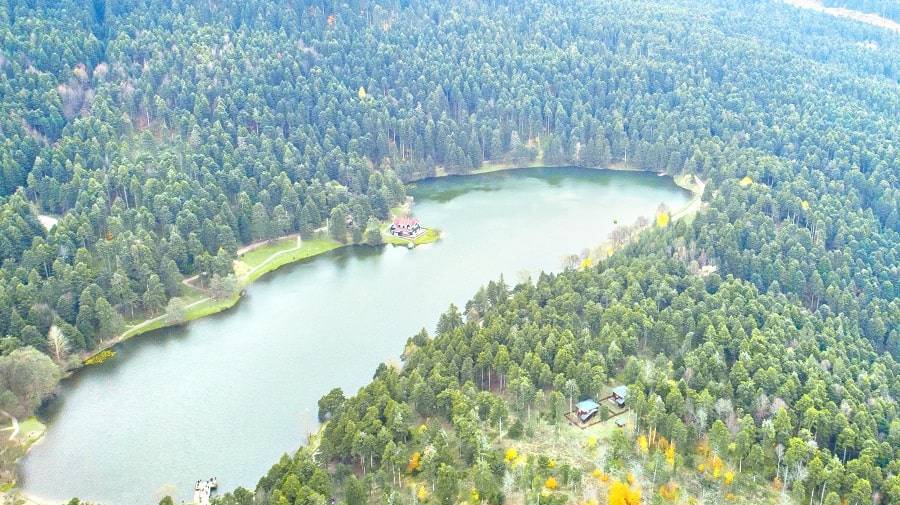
column 759, row 340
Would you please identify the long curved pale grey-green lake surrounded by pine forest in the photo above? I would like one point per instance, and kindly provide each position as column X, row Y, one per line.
column 225, row 396
